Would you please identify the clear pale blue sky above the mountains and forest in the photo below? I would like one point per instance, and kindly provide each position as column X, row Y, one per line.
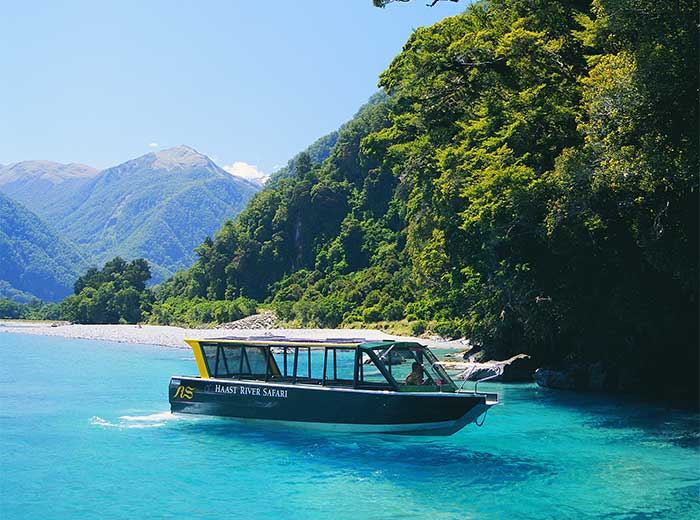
column 240, row 80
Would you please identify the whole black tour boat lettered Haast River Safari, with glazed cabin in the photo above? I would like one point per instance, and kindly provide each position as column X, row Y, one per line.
column 344, row 385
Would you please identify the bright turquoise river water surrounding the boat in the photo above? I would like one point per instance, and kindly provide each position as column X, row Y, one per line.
column 85, row 433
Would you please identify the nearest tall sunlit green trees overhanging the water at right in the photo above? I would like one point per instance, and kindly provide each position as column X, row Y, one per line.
column 551, row 154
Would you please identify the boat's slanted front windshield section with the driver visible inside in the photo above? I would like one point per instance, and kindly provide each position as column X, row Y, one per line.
column 413, row 367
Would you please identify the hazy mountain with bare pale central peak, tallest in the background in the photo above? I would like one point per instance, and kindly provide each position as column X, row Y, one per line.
column 159, row 206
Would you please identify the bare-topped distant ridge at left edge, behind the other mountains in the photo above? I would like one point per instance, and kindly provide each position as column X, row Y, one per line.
column 45, row 187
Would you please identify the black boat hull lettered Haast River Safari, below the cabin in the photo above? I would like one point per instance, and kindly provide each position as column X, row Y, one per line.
column 326, row 408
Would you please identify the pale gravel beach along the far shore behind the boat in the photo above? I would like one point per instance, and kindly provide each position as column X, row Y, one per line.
column 174, row 336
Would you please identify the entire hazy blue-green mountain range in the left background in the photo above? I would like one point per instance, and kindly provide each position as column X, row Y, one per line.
column 159, row 206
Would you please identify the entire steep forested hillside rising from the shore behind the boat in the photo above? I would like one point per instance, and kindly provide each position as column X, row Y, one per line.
column 530, row 182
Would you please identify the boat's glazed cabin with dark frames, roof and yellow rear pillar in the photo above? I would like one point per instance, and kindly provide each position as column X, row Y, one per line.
column 337, row 362
